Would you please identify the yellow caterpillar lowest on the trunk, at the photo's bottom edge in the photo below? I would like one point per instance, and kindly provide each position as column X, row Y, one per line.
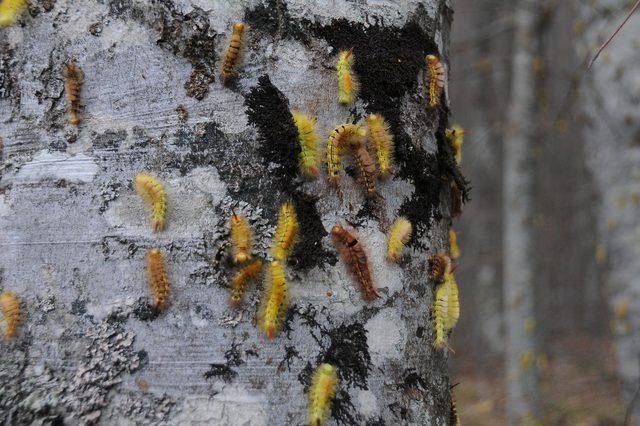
column 324, row 384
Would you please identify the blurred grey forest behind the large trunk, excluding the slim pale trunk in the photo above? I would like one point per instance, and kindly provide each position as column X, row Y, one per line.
column 584, row 148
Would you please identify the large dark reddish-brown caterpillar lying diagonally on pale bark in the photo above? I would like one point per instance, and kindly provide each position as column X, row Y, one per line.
column 355, row 258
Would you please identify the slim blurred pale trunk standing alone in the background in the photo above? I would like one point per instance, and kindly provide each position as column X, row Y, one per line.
column 520, row 354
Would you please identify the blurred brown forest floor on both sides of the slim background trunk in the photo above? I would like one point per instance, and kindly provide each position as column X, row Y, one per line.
column 578, row 387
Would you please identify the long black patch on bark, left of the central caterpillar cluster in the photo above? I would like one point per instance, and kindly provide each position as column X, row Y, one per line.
column 268, row 110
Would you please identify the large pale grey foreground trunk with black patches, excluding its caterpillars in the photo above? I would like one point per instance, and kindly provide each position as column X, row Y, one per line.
column 74, row 234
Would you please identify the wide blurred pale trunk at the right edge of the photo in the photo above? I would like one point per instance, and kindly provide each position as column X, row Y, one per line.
column 610, row 95
